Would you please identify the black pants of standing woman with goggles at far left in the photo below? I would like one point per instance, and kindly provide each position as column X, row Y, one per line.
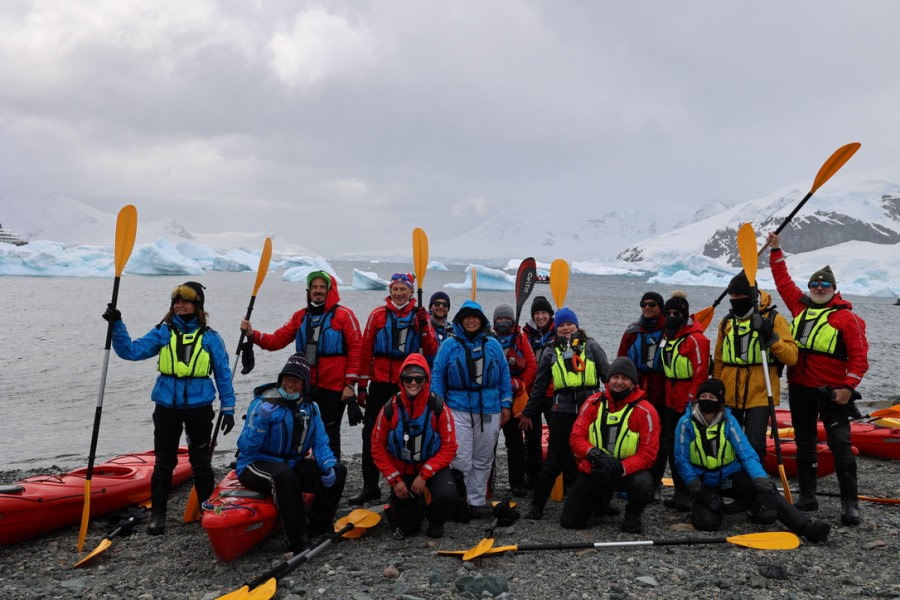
column 168, row 424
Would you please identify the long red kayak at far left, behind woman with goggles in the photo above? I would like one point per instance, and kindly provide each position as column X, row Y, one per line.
column 42, row 503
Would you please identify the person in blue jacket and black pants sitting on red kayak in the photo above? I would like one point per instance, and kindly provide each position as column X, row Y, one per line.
column 281, row 429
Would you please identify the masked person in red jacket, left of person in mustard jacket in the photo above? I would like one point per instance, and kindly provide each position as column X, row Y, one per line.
column 685, row 359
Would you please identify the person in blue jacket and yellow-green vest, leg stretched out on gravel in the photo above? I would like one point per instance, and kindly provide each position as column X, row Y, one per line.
column 715, row 459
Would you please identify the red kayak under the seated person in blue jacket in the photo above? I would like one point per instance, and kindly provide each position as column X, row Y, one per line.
column 237, row 518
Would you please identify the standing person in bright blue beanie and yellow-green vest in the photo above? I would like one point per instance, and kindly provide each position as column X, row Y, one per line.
column 575, row 366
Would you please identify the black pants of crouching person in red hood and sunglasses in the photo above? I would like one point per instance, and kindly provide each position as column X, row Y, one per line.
column 408, row 514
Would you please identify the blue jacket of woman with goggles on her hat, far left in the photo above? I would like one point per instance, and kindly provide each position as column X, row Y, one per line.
column 180, row 392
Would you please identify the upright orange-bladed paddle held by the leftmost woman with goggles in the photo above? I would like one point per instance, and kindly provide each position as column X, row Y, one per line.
column 126, row 230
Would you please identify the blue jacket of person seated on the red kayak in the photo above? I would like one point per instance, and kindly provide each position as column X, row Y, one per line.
column 280, row 430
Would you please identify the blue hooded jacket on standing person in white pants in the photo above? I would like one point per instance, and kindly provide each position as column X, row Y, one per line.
column 472, row 374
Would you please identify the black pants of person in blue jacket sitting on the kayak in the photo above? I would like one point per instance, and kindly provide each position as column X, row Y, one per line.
column 286, row 486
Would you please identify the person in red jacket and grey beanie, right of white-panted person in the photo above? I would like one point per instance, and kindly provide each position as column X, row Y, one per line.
column 522, row 369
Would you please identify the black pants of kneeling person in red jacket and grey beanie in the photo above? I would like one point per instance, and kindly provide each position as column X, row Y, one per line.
column 591, row 492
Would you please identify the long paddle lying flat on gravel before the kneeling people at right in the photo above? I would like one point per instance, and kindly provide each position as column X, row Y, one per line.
column 767, row 540
